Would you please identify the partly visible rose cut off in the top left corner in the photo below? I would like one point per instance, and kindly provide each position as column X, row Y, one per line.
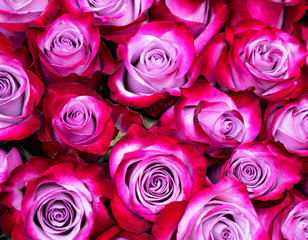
column 18, row 16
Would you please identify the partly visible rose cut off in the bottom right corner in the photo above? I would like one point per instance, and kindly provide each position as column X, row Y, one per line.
column 286, row 220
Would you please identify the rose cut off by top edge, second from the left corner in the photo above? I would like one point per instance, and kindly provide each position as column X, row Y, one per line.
column 118, row 20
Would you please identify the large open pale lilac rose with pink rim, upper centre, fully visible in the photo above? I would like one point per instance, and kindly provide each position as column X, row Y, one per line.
column 156, row 62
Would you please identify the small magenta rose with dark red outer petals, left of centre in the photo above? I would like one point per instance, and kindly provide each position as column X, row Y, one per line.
column 75, row 116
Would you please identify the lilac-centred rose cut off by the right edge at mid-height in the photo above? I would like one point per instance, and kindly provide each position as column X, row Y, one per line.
column 286, row 122
